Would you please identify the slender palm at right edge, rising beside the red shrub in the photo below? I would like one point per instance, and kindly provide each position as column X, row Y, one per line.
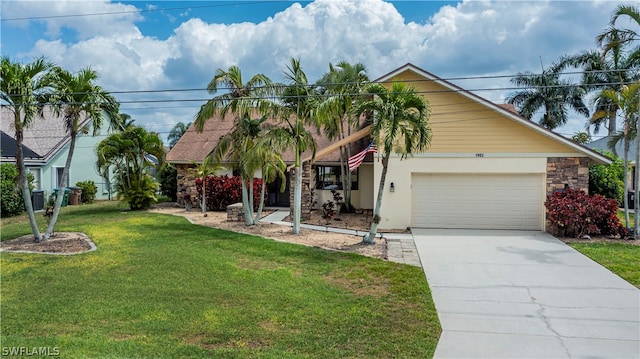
column 628, row 101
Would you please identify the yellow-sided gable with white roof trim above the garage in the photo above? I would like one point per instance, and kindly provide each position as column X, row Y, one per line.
column 466, row 117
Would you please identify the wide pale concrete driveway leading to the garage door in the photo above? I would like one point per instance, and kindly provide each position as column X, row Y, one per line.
column 520, row 294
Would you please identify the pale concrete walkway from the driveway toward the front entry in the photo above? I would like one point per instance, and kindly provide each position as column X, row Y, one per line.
column 400, row 246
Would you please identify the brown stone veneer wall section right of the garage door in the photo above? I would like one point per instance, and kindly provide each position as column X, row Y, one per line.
column 567, row 171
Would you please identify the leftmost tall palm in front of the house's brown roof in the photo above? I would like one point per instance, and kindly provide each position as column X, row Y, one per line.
column 242, row 99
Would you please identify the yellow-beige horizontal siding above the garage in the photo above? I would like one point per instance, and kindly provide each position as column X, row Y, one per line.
column 460, row 124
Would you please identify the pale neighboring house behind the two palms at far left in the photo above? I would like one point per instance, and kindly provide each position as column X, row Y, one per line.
column 46, row 146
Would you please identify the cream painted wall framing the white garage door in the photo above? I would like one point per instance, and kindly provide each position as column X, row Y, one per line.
column 396, row 212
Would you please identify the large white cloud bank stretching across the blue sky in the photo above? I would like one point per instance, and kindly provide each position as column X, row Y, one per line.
column 472, row 38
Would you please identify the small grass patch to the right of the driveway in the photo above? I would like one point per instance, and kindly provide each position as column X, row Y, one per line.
column 622, row 259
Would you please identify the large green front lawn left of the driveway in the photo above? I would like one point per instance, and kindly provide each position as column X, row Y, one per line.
column 159, row 286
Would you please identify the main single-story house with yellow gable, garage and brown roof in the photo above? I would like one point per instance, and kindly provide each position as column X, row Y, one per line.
column 487, row 166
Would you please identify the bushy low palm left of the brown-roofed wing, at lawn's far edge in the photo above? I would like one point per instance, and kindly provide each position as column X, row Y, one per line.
column 131, row 154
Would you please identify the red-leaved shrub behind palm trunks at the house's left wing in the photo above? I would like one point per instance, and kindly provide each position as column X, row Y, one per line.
column 222, row 191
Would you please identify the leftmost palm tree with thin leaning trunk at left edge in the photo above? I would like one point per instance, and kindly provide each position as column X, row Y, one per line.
column 24, row 90
